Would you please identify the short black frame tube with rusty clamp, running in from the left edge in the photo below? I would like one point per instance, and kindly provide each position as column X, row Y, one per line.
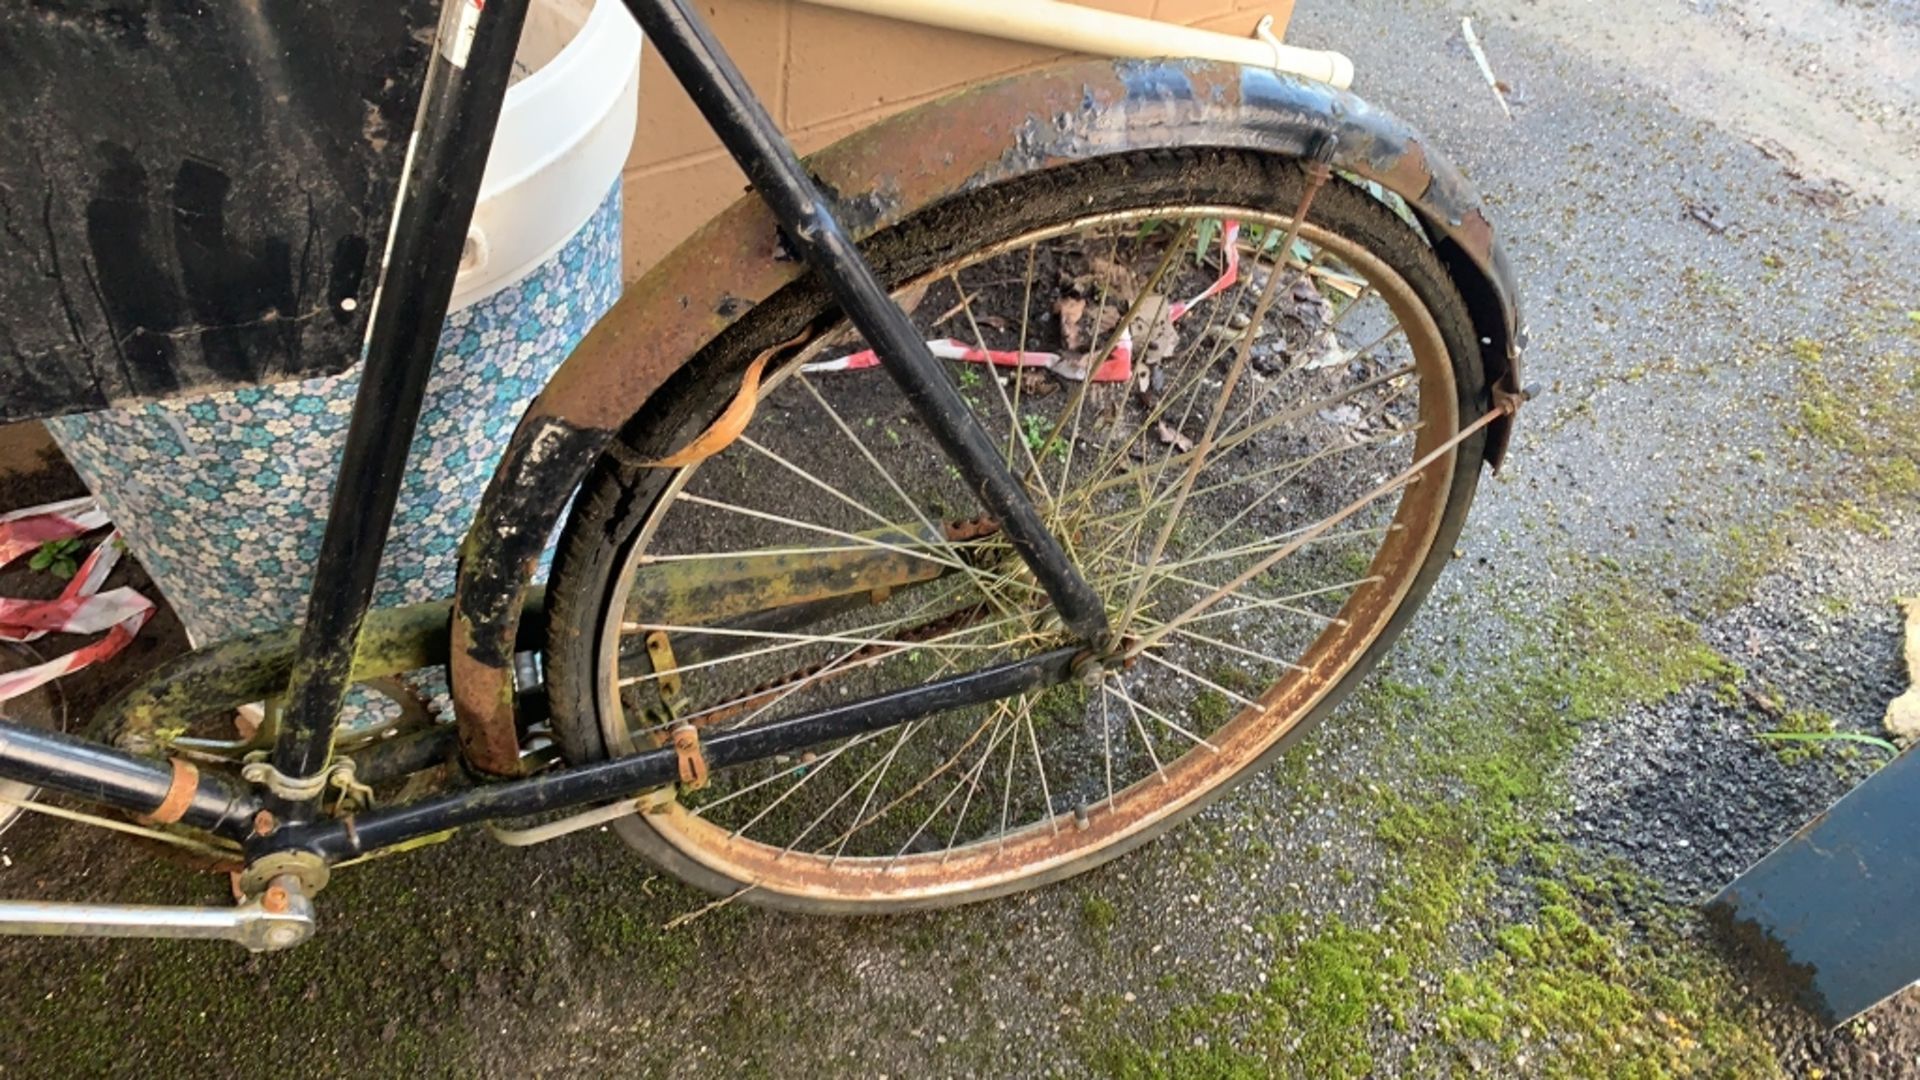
column 118, row 779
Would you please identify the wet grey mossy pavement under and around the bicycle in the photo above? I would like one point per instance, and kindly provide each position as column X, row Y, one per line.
column 1712, row 210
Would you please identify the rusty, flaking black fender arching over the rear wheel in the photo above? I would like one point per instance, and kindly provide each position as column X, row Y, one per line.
column 876, row 180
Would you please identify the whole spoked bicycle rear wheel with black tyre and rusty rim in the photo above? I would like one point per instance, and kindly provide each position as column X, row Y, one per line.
column 1212, row 485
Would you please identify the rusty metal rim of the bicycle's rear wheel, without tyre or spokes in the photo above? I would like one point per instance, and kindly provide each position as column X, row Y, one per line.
column 1044, row 848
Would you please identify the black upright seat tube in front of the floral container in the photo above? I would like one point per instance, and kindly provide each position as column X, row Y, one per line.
column 441, row 187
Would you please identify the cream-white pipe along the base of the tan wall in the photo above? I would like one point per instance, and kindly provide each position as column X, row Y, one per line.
column 1105, row 34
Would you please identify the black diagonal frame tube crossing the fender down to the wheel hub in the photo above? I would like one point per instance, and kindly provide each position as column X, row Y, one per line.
column 679, row 36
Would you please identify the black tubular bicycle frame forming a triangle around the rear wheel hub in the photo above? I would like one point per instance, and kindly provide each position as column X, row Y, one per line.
column 462, row 105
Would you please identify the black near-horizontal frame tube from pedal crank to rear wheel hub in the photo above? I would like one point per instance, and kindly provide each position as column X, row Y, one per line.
column 623, row 777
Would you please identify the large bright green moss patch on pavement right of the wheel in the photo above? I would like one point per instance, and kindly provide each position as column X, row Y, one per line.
column 1573, row 993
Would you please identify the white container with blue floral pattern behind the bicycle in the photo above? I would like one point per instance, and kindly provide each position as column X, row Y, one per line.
column 226, row 497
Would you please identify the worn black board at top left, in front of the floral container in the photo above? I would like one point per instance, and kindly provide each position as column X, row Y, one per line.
column 195, row 193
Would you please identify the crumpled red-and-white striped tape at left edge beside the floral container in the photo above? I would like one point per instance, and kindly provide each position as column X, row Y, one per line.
column 80, row 608
